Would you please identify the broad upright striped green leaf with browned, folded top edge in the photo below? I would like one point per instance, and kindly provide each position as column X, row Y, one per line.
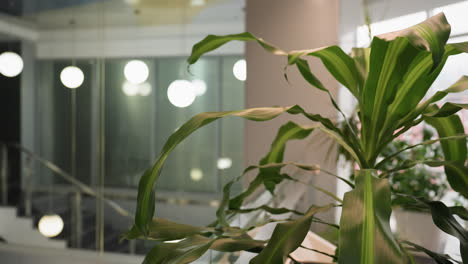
column 403, row 66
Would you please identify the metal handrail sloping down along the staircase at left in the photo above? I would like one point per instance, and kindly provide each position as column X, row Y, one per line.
column 82, row 187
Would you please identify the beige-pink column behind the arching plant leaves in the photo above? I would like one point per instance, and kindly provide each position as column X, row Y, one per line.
column 299, row 24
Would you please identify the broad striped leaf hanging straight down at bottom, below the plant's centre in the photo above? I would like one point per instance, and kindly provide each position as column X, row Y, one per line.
column 365, row 236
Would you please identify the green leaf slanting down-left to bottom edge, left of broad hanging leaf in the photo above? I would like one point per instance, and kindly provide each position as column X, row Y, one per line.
column 287, row 237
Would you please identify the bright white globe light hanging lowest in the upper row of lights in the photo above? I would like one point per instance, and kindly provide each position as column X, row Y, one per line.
column 181, row 93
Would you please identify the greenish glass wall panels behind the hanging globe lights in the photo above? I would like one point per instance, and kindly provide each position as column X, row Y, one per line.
column 138, row 119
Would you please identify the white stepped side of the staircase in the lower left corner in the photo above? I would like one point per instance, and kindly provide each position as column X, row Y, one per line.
column 21, row 231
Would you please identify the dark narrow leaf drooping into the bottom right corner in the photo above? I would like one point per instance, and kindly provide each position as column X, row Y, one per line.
column 443, row 218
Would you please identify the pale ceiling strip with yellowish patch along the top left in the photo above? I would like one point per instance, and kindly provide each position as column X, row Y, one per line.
column 131, row 13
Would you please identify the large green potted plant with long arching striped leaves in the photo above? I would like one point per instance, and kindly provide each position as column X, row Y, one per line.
column 389, row 81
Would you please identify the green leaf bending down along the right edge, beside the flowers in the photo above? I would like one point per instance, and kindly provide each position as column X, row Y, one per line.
column 455, row 151
